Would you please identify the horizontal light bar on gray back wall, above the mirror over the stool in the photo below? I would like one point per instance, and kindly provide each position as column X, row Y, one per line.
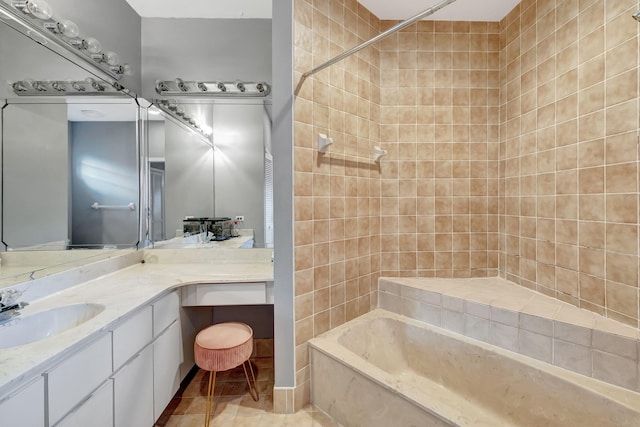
column 179, row 87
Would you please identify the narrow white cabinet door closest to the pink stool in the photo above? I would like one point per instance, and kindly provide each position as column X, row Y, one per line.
column 167, row 356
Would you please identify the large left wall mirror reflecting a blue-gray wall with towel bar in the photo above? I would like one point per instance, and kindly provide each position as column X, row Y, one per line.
column 70, row 175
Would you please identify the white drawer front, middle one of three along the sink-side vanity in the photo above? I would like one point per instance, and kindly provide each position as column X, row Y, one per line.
column 131, row 336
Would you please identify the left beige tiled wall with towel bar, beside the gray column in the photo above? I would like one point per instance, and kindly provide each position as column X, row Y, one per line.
column 337, row 199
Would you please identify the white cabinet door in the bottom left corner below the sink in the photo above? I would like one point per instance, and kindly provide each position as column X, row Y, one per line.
column 24, row 407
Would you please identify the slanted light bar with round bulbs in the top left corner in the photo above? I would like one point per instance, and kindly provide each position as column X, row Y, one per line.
column 39, row 15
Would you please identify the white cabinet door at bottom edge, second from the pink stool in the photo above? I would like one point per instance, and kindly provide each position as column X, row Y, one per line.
column 133, row 392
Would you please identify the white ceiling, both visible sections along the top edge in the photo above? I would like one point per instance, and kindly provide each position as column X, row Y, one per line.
column 461, row 10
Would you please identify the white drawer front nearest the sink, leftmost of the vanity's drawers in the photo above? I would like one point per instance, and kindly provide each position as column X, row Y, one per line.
column 76, row 377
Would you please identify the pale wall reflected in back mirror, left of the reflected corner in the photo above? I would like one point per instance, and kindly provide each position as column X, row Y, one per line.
column 188, row 177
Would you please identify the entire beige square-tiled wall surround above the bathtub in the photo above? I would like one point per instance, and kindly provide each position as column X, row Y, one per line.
column 512, row 150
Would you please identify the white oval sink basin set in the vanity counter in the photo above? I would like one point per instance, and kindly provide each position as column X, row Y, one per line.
column 34, row 327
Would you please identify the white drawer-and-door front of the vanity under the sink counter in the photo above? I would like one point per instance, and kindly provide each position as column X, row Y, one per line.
column 125, row 376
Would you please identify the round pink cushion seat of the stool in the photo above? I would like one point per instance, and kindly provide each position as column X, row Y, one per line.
column 223, row 346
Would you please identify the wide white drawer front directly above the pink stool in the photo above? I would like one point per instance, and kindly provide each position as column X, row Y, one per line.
column 225, row 294
